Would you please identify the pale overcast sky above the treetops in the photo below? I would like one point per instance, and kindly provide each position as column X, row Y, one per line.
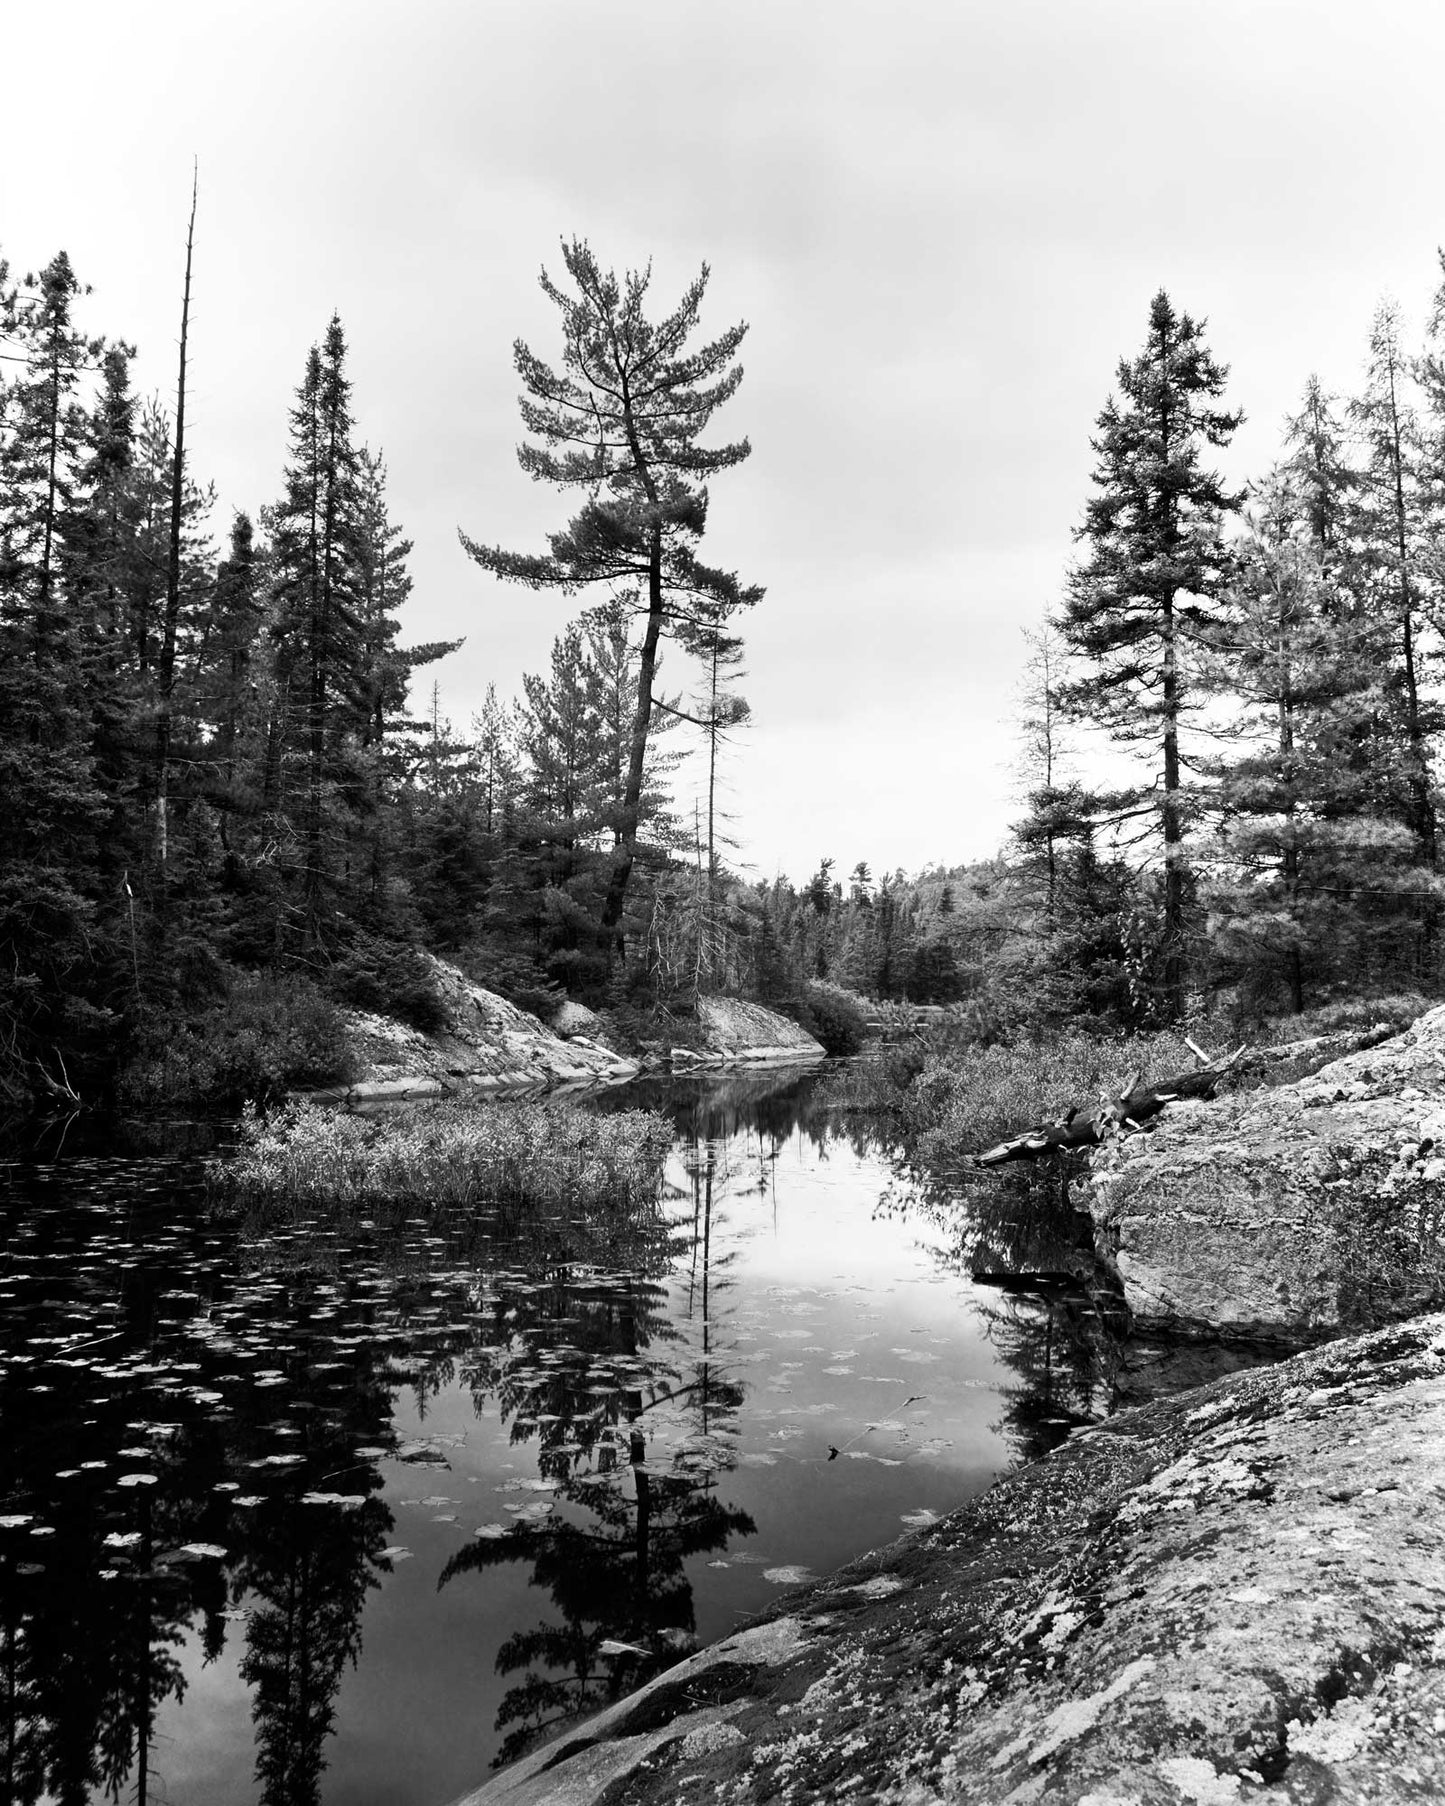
column 944, row 223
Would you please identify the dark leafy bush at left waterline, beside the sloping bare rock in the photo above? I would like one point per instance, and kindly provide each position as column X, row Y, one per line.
column 272, row 1034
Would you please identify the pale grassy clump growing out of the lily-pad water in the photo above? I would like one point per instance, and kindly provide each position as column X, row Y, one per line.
column 449, row 1155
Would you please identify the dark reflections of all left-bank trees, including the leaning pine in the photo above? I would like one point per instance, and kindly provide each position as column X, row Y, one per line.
column 198, row 1413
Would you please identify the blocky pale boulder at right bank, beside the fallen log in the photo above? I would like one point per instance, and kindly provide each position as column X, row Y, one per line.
column 1294, row 1213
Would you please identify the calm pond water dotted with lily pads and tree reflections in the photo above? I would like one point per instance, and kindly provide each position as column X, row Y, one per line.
column 339, row 1511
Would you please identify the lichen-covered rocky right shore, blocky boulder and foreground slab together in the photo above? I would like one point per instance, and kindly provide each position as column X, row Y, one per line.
column 1226, row 1596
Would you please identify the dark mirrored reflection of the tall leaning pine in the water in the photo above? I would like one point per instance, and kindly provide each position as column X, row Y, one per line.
column 635, row 1419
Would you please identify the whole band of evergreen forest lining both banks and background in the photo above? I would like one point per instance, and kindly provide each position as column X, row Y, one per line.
column 232, row 799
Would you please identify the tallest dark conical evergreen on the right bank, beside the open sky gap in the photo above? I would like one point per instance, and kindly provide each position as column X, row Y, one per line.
column 1153, row 570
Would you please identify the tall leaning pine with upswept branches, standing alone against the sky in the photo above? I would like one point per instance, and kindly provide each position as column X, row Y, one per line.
column 620, row 422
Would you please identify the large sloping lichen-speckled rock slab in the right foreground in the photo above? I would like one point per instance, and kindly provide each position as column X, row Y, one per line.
column 1233, row 1596
